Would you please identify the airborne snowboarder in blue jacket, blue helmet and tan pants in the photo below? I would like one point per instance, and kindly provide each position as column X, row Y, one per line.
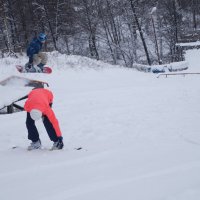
column 37, row 59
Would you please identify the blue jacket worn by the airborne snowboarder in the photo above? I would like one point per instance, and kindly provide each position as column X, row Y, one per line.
column 34, row 48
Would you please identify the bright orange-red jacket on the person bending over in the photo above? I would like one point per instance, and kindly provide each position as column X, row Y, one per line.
column 40, row 99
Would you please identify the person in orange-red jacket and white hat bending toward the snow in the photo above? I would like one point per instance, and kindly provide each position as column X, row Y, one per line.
column 38, row 105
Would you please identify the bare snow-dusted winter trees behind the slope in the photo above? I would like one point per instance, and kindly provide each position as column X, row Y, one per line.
column 117, row 31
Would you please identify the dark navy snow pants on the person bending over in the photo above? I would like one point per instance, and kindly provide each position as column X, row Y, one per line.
column 33, row 134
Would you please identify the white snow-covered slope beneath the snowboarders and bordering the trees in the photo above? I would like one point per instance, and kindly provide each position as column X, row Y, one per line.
column 140, row 135
